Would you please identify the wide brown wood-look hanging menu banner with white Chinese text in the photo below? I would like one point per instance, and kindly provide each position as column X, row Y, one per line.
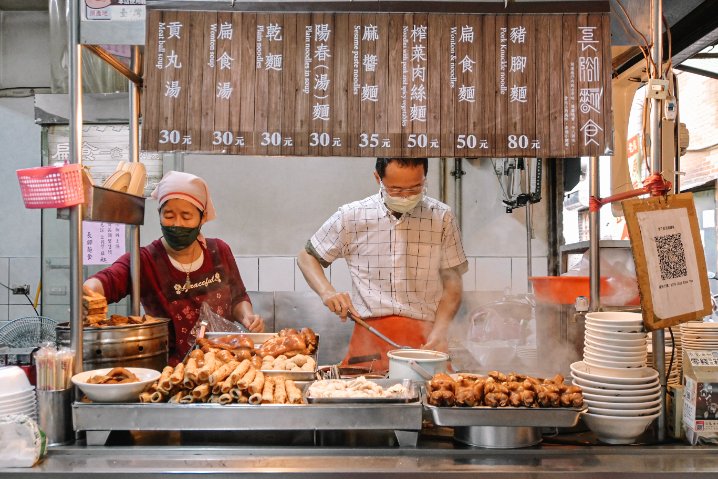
column 378, row 84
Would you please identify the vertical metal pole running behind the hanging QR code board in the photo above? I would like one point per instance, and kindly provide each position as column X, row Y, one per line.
column 657, row 167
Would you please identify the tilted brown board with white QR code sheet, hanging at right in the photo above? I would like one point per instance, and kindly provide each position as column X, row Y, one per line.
column 670, row 263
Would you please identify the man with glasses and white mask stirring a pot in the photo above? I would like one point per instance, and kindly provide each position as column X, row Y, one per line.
column 405, row 258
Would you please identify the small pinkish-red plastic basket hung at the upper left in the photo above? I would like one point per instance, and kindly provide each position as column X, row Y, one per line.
column 51, row 186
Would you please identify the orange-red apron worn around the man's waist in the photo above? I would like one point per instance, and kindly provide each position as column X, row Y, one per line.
column 367, row 350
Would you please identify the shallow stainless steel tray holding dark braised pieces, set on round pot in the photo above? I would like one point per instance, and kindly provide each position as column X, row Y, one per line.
column 503, row 416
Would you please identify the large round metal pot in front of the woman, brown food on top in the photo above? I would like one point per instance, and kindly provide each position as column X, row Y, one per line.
column 137, row 345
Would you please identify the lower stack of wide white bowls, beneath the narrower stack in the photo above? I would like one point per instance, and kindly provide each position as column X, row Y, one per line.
column 622, row 403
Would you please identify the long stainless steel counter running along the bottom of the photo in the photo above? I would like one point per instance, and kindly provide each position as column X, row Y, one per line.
column 350, row 455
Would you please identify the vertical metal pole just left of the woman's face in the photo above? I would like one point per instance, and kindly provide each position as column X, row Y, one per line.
column 134, row 230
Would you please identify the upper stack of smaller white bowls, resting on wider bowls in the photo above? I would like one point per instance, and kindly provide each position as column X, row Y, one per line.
column 615, row 340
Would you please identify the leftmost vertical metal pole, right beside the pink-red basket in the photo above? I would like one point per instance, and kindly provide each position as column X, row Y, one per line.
column 75, row 89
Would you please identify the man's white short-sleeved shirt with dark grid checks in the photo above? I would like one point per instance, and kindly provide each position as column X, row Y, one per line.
column 394, row 263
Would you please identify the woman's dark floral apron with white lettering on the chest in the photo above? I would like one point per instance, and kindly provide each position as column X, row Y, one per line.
column 208, row 284
